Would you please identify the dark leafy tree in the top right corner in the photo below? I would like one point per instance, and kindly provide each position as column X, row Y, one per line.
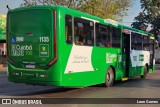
column 149, row 16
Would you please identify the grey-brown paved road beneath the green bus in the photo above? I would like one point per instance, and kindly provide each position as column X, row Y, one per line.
column 133, row 88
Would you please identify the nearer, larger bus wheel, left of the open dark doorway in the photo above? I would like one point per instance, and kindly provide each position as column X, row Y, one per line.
column 109, row 79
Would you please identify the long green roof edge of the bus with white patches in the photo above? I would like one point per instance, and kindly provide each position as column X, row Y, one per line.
column 85, row 15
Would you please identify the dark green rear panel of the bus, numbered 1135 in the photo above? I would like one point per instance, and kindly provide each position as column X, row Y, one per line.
column 30, row 37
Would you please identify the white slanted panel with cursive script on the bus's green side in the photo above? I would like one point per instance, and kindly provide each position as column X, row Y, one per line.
column 79, row 59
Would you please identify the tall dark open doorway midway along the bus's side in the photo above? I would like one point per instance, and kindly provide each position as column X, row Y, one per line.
column 126, row 52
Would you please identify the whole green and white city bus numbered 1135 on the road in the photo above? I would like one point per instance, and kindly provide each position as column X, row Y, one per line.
column 54, row 45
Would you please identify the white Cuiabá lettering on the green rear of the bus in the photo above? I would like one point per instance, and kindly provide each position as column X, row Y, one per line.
column 18, row 50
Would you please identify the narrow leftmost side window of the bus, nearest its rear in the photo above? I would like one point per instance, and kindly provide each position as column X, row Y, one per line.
column 68, row 30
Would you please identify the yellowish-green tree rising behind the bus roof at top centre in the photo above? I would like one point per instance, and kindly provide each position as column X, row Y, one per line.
column 112, row 9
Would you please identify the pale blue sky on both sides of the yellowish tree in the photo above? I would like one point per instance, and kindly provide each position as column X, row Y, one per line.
column 127, row 20
